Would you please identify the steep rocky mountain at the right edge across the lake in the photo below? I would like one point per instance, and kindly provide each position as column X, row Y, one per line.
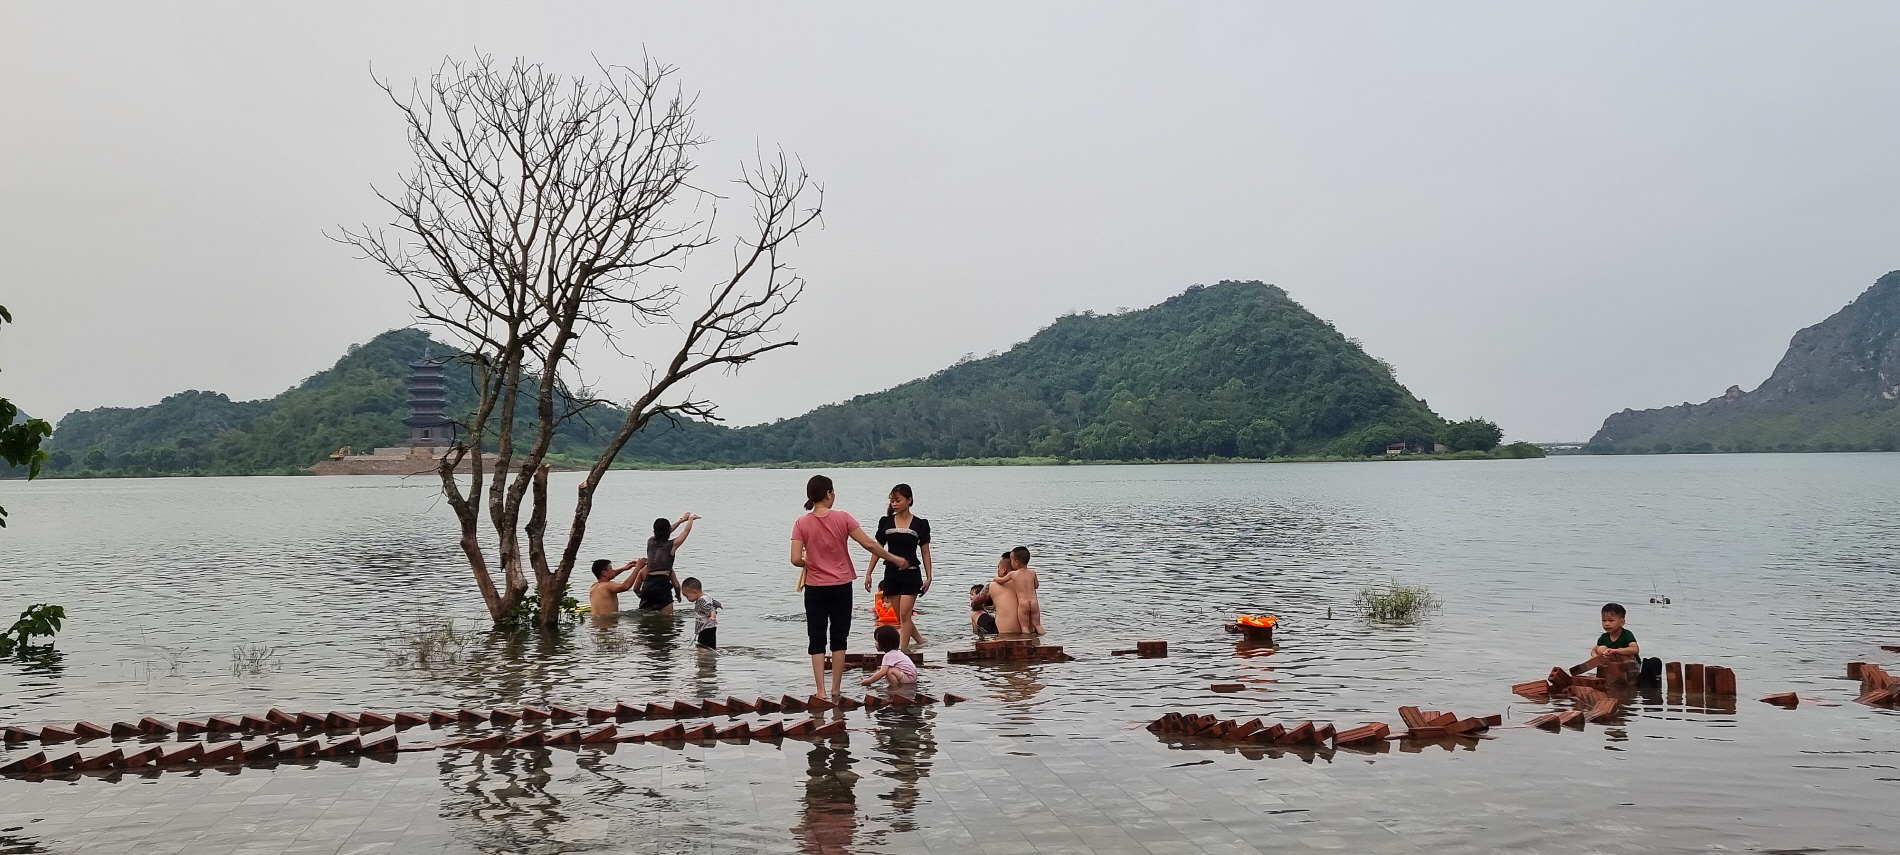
column 1836, row 389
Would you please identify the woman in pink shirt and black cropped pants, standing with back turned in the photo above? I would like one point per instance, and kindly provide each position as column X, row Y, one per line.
column 820, row 548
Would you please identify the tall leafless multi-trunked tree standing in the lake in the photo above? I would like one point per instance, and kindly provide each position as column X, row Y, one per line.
column 548, row 208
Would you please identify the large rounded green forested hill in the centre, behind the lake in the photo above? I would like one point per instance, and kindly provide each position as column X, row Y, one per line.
column 1232, row 370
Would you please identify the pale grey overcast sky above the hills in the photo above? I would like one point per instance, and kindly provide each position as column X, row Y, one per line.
column 1540, row 214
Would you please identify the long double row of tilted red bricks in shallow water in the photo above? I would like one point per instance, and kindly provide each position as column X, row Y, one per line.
column 225, row 736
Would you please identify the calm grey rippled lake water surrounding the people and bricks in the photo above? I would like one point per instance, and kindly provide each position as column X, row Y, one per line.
column 1779, row 567
